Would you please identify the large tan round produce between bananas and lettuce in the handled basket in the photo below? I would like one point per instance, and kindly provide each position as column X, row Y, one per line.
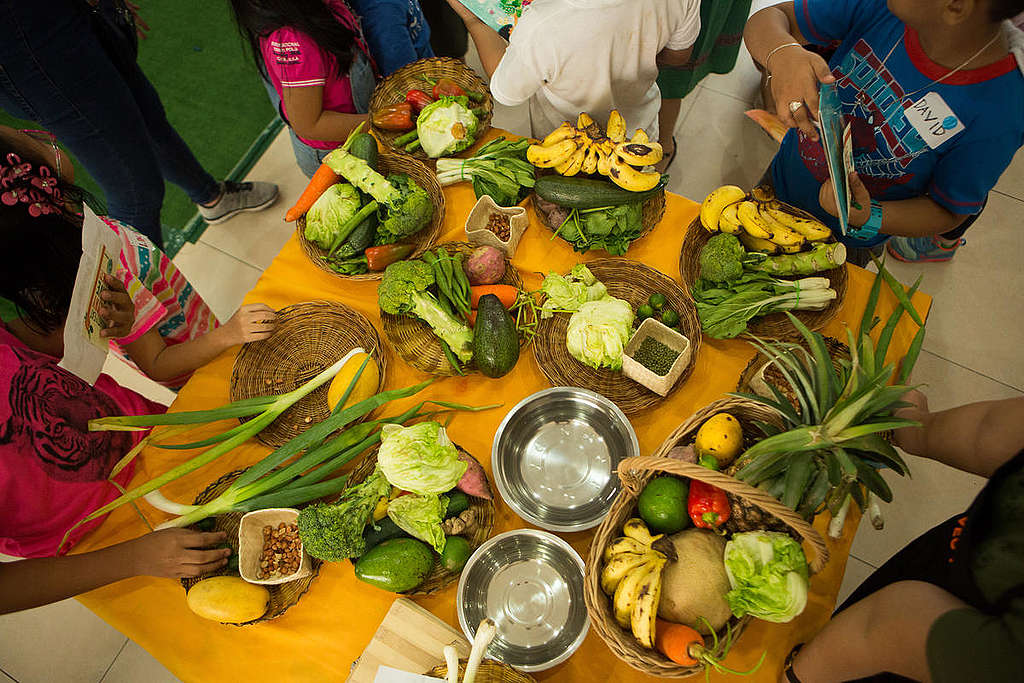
column 695, row 585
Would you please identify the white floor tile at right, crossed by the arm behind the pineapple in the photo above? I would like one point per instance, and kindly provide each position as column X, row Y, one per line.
column 934, row 492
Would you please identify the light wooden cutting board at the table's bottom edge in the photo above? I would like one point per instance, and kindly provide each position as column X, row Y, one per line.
column 410, row 638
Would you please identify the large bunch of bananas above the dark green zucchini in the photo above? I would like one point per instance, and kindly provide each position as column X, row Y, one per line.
column 586, row 149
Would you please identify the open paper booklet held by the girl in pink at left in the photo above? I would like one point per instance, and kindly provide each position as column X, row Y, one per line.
column 86, row 351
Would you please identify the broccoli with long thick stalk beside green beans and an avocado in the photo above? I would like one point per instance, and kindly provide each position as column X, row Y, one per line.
column 404, row 291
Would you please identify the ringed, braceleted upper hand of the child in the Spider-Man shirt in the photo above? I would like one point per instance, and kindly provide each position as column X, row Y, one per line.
column 796, row 75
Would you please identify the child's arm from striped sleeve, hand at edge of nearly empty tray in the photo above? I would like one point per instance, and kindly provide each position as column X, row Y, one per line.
column 163, row 363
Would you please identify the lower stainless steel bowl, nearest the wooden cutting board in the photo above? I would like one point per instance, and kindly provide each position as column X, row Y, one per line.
column 531, row 584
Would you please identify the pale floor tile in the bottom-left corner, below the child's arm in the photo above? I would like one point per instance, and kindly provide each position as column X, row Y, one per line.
column 60, row 643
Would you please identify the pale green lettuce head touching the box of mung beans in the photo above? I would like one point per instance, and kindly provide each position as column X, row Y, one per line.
column 599, row 332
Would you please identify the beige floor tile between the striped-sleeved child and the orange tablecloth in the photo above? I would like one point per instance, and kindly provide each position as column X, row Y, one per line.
column 223, row 280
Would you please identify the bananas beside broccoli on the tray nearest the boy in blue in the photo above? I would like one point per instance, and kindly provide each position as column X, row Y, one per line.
column 761, row 222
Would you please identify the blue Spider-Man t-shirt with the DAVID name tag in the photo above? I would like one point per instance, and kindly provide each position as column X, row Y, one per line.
column 891, row 157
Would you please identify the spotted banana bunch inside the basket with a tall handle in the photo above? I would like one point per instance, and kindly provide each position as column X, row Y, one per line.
column 632, row 576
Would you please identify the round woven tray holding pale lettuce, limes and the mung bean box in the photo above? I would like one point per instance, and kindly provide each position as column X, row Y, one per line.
column 635, row 283
